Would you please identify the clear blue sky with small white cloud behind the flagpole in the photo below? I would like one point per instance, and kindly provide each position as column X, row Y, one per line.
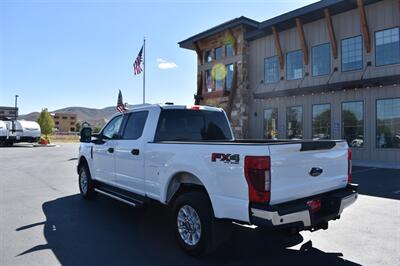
column 57, row 54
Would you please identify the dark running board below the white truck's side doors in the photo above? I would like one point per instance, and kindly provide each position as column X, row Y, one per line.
column 121, row 195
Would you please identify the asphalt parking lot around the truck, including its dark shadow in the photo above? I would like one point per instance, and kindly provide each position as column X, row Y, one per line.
column 44, row 221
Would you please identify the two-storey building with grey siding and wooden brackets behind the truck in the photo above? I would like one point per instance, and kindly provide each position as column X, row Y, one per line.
column 330, row 70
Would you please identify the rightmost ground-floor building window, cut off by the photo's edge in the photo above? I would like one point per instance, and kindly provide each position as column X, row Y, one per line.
column 388, row 123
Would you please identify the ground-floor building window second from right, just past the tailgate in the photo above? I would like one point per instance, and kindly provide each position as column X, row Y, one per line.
column 353, row 123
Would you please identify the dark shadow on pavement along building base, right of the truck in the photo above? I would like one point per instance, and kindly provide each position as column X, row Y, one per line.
column 378, row 182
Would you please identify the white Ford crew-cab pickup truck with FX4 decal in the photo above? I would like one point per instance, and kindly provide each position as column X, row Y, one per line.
column 187, row 158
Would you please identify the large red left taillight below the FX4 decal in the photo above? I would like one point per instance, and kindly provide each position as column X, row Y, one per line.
column 257, row 170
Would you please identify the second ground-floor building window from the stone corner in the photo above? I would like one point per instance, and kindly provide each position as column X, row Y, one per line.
column 294, row 122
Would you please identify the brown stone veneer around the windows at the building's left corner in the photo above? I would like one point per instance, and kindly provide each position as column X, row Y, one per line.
column 239, row 104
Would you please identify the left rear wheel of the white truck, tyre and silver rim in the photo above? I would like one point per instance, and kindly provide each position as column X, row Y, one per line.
column 193, row 223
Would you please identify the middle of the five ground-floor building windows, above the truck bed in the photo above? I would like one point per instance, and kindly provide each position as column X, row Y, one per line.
column 321, row 121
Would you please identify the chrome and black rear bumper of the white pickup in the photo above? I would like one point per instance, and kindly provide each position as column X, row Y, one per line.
column 297, row 214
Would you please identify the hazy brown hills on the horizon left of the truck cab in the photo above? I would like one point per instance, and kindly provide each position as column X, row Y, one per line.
column 92, row 115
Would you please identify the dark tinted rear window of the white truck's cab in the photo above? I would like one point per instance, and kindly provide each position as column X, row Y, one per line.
column 192, row 125
